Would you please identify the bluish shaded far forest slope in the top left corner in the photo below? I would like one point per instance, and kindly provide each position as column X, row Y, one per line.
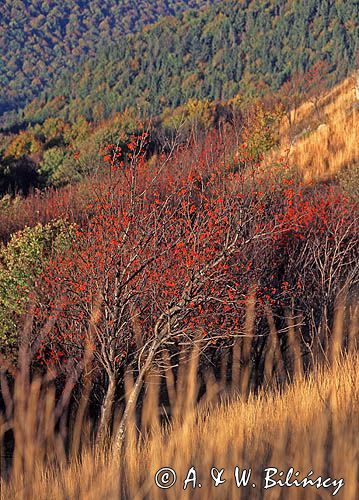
column 38, row 38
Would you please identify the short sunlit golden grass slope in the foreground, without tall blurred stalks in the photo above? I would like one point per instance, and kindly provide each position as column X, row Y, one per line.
column 312, row 425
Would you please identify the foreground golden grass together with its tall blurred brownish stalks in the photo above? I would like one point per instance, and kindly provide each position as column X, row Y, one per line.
column 308, row 422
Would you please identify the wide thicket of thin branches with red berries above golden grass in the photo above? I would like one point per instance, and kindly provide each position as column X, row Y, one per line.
column 172, row 253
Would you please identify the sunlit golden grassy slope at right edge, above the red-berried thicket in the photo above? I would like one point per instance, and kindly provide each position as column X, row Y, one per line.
column 332, row 142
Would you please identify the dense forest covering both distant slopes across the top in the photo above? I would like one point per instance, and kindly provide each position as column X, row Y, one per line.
column 212, row 53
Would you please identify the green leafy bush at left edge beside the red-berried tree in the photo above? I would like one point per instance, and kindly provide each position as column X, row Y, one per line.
column 21, row 261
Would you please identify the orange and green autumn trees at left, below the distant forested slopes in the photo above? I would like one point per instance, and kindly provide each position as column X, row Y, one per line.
column 56, row 152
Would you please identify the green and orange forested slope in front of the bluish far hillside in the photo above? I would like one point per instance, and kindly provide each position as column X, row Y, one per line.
column 209, row 54
